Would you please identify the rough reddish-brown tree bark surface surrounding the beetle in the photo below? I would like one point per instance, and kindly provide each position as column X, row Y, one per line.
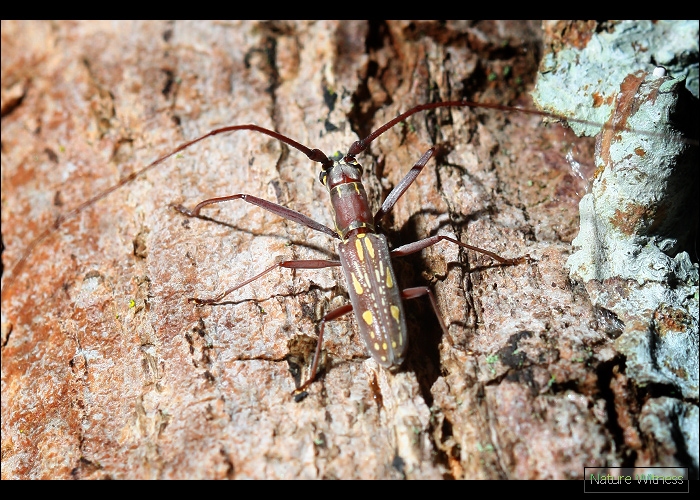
column 108, row 371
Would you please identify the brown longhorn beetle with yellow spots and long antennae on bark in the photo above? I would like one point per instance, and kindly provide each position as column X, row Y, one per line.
column 363, row 253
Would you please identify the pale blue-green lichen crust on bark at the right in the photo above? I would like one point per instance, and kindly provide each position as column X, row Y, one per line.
column 640, row 217
